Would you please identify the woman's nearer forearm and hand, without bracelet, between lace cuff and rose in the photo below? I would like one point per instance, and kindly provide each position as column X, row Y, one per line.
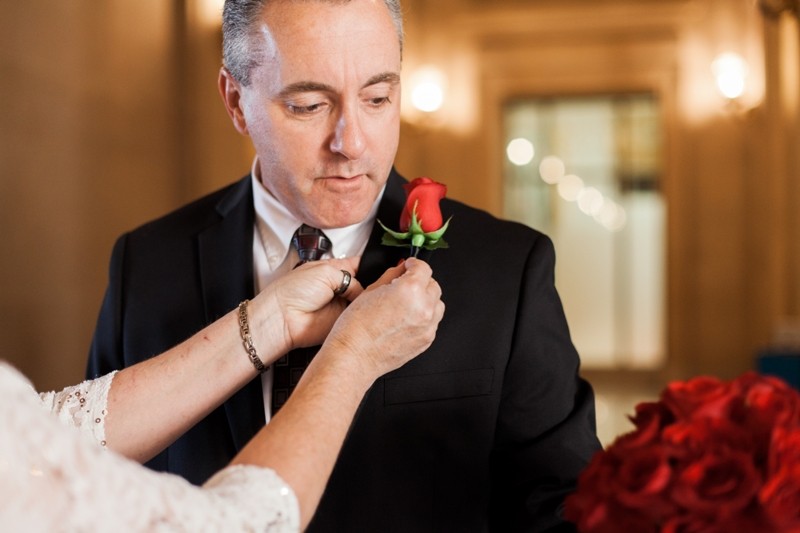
column 390, row 323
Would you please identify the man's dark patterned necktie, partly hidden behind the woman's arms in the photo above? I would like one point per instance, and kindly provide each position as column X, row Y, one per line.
column 311, row 245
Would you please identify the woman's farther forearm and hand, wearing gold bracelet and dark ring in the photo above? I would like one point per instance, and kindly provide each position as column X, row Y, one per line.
column 154, row 402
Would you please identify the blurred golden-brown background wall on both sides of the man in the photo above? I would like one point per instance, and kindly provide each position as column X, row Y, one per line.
column 109, row 117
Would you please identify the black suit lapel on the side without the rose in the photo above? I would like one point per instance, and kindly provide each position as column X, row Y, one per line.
column 225, row 253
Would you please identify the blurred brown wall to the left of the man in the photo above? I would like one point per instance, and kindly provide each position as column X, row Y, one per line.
column 109, row 117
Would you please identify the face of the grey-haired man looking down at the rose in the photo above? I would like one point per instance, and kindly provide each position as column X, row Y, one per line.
column 323, row 107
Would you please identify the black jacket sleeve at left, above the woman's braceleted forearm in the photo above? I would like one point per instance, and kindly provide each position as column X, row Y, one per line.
column 106, row 352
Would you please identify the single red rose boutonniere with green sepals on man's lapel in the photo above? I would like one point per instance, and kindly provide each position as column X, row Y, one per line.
column 421, row 220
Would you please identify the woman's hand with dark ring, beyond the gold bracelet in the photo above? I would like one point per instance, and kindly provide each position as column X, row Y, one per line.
column 300, row 308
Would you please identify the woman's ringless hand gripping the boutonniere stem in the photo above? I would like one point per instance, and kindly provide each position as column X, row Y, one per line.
column 392, row 321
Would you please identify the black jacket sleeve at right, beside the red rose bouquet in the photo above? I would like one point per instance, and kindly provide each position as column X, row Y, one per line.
column 546, row 431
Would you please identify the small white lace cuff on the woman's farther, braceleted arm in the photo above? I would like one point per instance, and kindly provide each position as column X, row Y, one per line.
column 82, row 406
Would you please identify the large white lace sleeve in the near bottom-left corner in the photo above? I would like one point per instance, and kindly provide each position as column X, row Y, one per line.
column 51, row 480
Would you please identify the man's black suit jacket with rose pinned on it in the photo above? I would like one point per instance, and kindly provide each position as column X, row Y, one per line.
column 486, row 430
